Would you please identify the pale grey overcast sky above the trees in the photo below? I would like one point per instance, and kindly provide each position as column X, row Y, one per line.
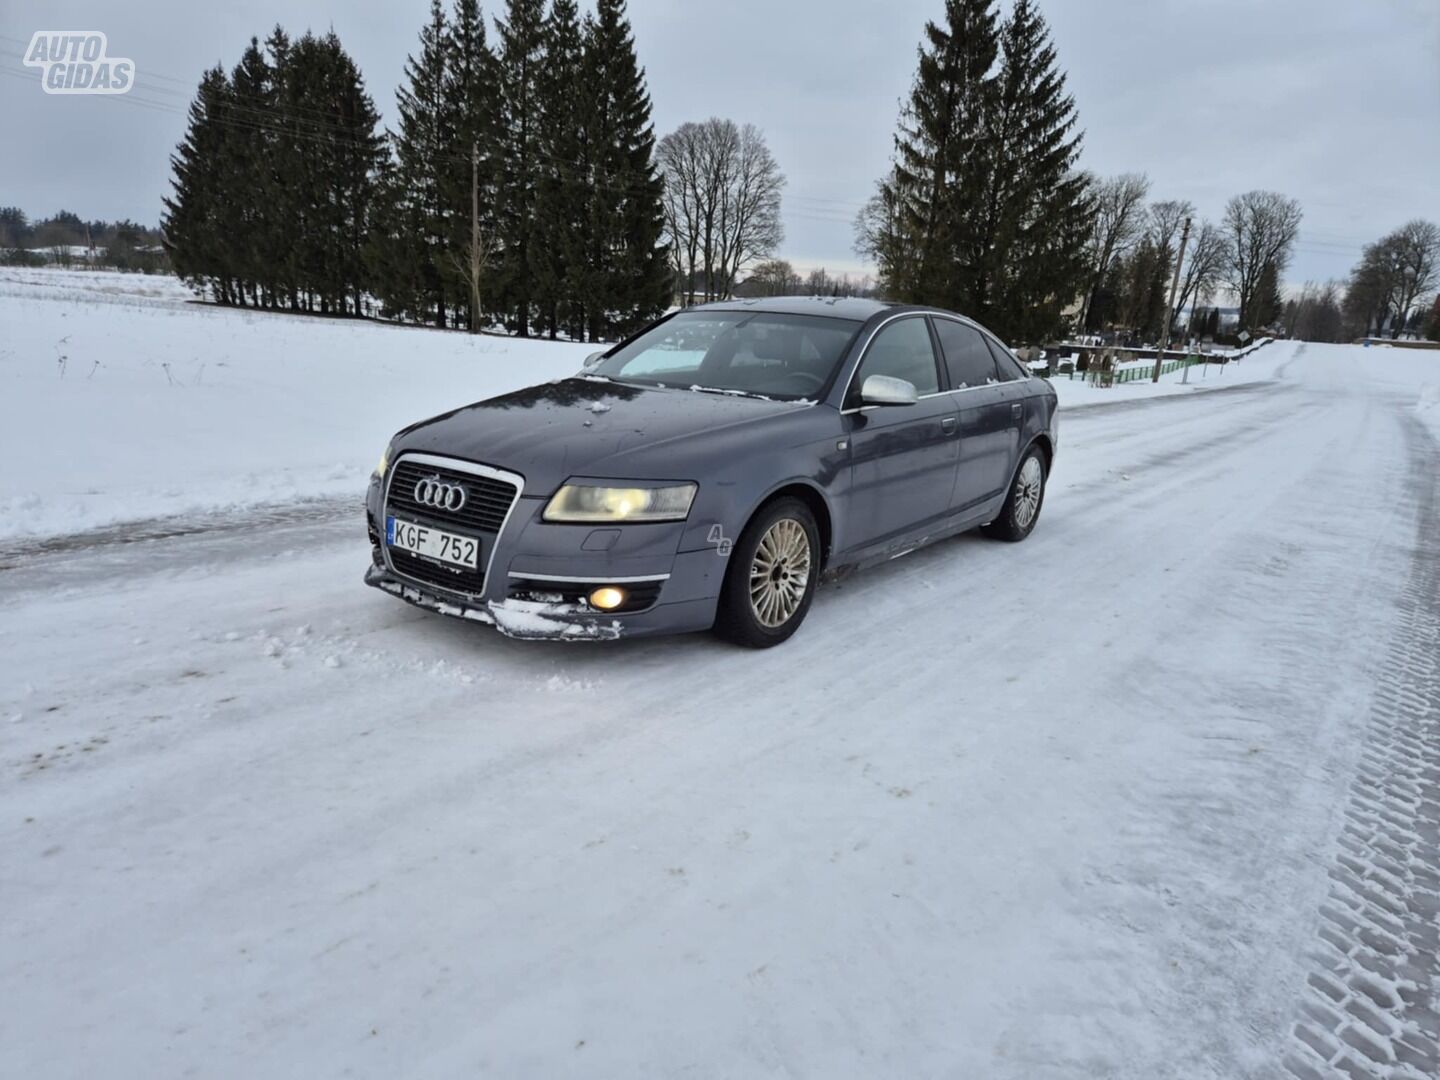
column 1336, row 103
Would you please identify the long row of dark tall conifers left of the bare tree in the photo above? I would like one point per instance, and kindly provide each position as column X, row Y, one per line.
column 519, row 189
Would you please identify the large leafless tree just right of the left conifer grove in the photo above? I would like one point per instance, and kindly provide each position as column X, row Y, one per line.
column 722, row 202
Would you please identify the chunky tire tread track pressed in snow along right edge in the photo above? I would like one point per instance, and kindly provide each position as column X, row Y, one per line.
column 1372, row 1006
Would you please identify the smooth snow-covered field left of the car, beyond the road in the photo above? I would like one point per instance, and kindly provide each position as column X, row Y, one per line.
column 120, row 400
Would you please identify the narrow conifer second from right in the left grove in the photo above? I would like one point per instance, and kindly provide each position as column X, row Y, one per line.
column 562, row 189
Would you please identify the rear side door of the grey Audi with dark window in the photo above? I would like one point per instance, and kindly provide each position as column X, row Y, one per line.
column 990, row 428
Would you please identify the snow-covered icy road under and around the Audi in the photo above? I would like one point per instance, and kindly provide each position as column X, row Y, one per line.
column 1074, row 809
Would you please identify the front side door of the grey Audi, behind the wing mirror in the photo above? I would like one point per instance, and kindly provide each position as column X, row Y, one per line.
column 902, row 457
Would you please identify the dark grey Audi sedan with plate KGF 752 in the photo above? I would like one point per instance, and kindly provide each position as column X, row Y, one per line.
column 708, row 472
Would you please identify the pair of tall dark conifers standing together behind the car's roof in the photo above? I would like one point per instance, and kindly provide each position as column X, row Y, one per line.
column 991, row 214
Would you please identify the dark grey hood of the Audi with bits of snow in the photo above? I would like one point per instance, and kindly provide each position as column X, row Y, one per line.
column 591, row 428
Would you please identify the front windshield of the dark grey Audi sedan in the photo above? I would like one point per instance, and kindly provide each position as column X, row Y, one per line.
column 768, row 355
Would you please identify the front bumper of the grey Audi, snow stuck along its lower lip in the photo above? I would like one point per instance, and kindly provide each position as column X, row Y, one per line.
column 683, row 593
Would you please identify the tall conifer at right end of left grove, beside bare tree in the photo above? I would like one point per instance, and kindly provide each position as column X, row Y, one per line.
column 630, row 279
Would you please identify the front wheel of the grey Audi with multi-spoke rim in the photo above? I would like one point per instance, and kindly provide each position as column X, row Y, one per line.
column 757, row 613
